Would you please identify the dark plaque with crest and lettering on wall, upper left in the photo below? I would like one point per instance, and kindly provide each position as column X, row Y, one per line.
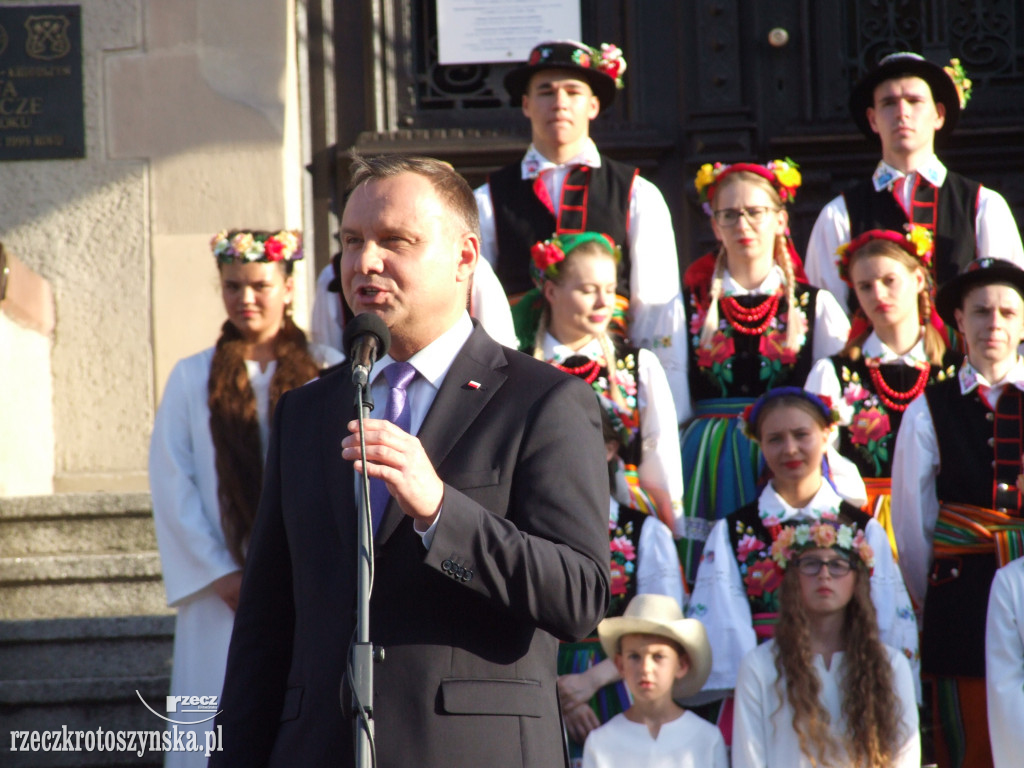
column 42, row 114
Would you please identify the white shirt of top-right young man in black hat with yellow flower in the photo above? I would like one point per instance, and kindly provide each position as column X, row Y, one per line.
column 995, row 227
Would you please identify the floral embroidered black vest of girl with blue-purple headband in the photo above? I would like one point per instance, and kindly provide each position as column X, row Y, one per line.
column 761, row 576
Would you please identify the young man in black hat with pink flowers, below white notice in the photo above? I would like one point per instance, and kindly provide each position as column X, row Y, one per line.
column 565, row 185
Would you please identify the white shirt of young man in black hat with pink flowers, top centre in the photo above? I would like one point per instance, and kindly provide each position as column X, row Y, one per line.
column 657, row 318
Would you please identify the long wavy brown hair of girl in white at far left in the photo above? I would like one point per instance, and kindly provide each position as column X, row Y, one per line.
column 235, row 423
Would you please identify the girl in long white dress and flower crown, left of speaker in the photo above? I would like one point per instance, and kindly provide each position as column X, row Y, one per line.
column 206, row 455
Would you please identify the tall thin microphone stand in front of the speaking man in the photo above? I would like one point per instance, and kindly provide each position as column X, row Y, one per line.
column 361, row 674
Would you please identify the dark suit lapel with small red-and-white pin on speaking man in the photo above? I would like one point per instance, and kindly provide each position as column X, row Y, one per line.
column 456, row 408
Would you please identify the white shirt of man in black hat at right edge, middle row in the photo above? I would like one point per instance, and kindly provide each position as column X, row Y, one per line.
column 916, row 467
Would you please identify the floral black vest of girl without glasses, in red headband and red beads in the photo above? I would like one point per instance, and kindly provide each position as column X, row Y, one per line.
column 871, row 438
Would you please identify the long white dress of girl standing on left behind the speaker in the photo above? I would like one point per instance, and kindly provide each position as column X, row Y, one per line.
column 187, row 516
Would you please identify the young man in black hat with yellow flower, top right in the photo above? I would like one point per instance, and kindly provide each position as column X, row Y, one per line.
column 905, row 105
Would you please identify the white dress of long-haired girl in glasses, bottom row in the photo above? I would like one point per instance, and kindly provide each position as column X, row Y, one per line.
column 763, row 735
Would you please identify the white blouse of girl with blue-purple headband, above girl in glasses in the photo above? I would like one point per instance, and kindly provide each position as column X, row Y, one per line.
column 719, row 598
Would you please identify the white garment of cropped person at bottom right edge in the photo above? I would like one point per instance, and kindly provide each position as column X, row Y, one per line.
column 1005, row 665
